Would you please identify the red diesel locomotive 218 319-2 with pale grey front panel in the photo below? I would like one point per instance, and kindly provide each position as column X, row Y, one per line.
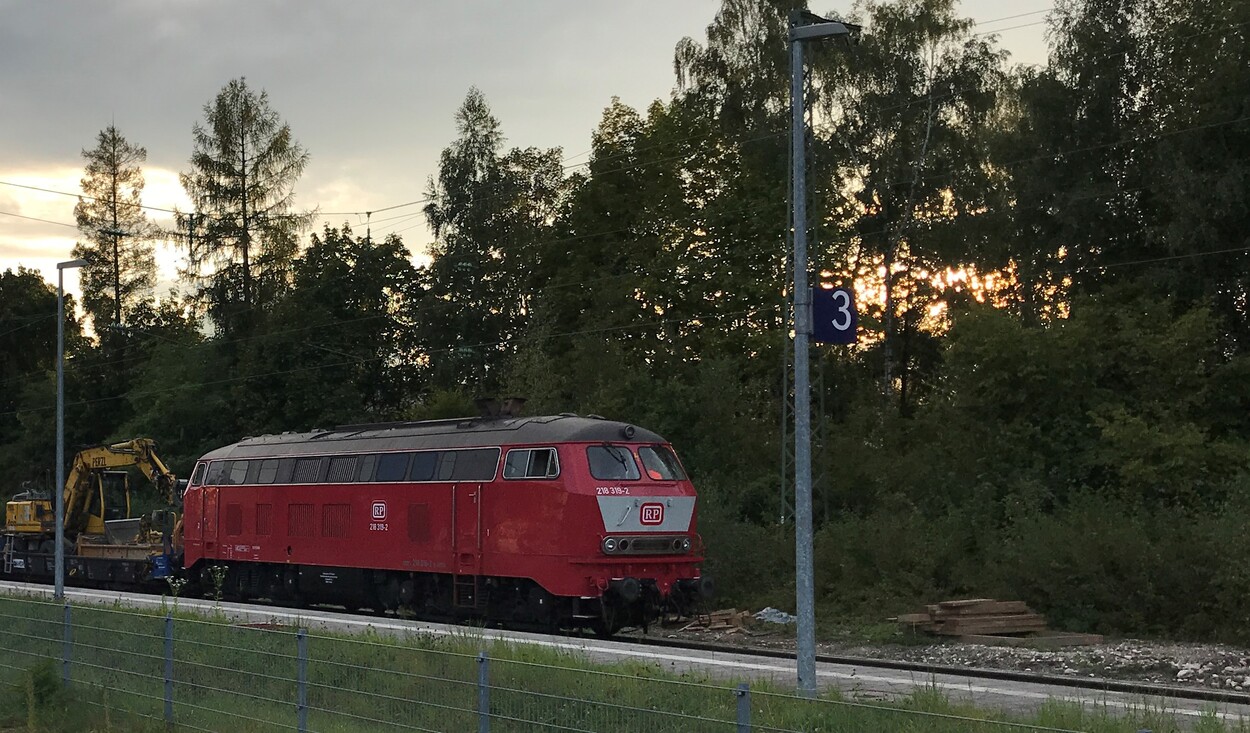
column 556, row 522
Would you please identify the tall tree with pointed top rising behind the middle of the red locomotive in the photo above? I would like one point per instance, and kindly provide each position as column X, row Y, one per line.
column 488, row 210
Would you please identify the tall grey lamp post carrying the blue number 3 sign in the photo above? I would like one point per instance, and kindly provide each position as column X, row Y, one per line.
column 804, row 27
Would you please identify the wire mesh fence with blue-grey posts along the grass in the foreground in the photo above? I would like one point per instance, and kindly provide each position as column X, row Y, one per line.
column 196, row 674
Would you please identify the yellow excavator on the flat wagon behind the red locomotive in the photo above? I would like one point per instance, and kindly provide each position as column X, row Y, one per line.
column 98, row 511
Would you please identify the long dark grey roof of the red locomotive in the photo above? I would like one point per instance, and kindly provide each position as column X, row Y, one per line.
column 431, row 435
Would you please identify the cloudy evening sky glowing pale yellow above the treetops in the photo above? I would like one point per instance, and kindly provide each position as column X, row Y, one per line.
column 369, row 89
